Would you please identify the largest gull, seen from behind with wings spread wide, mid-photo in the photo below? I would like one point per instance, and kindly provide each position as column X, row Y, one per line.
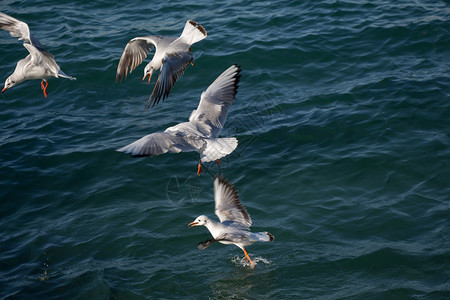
column 201, row 132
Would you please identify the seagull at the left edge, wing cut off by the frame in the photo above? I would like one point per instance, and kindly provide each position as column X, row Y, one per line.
column 39, row 64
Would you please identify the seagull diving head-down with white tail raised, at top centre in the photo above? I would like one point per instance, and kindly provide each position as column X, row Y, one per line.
column 172, row 56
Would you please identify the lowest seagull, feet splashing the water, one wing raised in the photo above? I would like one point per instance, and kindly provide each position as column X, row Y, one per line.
column 235, row 222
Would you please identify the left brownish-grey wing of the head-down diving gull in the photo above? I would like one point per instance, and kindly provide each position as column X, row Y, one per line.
column 134, row 54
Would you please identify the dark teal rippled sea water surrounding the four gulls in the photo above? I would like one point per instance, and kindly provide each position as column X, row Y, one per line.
column 343, row 122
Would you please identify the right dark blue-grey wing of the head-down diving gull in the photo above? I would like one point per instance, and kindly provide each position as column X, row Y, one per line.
column 174, row 65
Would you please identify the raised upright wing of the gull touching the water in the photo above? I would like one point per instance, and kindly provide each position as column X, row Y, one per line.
column 228, row 206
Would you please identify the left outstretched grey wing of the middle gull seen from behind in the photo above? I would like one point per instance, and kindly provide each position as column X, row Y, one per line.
column 162, row 142
